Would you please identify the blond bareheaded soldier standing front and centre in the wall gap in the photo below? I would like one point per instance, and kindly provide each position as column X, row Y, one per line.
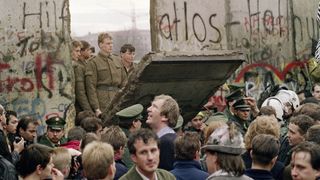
column 104, row 76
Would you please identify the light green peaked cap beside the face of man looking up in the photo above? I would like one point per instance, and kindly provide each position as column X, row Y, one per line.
column 130, row 113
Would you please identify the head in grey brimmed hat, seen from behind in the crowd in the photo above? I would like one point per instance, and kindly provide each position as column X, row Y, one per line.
column 223, row 150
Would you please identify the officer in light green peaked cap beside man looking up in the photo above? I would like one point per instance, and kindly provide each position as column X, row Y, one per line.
column 129, row 121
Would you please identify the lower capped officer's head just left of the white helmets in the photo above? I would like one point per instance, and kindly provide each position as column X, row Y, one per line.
column 242, row 110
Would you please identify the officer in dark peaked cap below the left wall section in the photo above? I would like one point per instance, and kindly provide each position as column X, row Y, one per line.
column 55, row 132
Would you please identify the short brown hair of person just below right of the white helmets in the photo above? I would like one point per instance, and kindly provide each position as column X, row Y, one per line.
column 304, row 122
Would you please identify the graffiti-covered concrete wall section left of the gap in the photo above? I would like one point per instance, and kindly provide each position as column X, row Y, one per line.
column 35, row 66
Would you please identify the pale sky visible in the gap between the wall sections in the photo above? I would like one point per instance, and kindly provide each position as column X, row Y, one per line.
column 92, row 16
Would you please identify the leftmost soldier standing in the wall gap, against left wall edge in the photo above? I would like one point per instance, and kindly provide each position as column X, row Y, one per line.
column 81, row 103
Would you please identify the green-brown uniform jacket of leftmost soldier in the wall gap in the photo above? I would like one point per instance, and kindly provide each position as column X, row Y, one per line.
column 82, row 102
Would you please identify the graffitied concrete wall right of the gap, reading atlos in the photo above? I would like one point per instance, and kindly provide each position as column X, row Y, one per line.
column 275, row 35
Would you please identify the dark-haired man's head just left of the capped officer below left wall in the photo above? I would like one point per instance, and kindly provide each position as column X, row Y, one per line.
column 27, row 128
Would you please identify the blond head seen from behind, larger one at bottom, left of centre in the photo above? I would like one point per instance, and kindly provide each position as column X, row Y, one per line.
column 98, row 161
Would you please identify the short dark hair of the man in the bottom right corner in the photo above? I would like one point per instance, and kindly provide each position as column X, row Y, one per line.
column 311, row 148
